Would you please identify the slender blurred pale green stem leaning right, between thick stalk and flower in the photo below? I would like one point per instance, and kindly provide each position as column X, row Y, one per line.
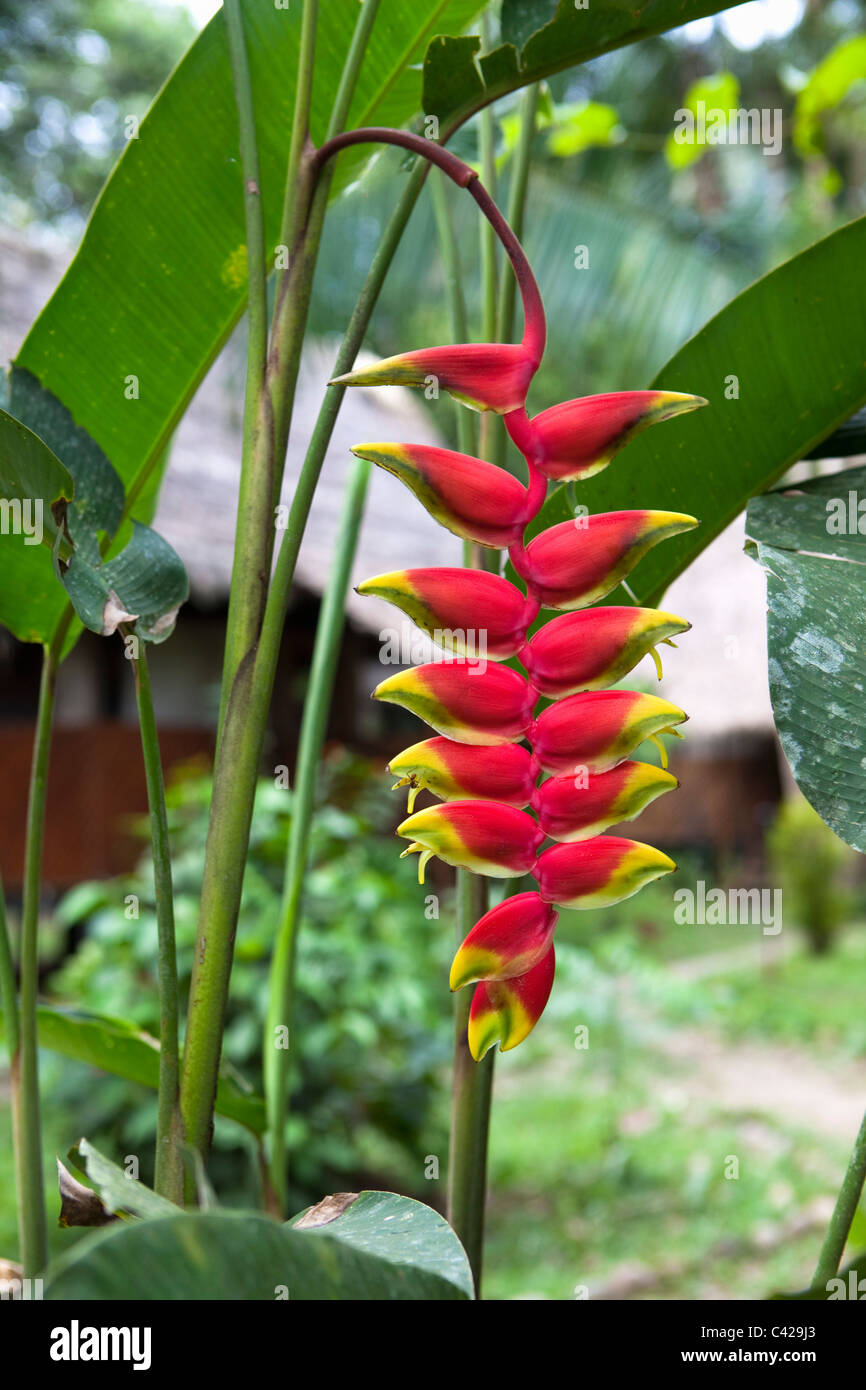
column 318, row 705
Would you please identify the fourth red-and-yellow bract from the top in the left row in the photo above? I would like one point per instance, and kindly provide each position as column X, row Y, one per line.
column 464, row 701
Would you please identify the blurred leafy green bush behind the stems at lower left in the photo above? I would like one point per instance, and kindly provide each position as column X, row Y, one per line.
column 373, row 1006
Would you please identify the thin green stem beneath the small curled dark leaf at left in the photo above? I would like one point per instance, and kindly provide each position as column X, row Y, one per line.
column 169, row 1179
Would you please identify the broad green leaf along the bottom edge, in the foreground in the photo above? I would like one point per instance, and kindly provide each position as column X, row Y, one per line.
column 382, row 1248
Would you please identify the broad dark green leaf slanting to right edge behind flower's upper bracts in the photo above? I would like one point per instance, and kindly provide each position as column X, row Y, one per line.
column 782, row 366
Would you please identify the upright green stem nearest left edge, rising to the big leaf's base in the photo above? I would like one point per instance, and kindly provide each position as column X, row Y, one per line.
column 26, row 1071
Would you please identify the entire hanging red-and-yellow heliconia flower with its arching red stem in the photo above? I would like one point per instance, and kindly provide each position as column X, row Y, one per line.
column 483, row 712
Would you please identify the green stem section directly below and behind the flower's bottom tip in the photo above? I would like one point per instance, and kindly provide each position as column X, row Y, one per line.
column 472, row 1096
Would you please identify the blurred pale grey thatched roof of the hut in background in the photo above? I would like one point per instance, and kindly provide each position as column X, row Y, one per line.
column 718, row 673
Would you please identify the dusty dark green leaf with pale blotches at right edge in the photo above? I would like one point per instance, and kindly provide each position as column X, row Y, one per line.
column 811, row 541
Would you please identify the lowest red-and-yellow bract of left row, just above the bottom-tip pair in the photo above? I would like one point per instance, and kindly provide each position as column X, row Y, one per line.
column 483, row 836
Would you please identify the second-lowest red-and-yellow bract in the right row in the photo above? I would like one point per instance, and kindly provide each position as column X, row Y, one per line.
column 578, row 808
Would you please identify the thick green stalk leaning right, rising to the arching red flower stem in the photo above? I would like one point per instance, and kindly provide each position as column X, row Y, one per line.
column 244, row 736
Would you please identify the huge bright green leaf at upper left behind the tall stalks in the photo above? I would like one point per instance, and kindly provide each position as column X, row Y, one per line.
column 161, row 277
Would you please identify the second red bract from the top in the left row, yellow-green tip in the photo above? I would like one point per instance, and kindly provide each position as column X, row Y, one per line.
column 472, row 498
